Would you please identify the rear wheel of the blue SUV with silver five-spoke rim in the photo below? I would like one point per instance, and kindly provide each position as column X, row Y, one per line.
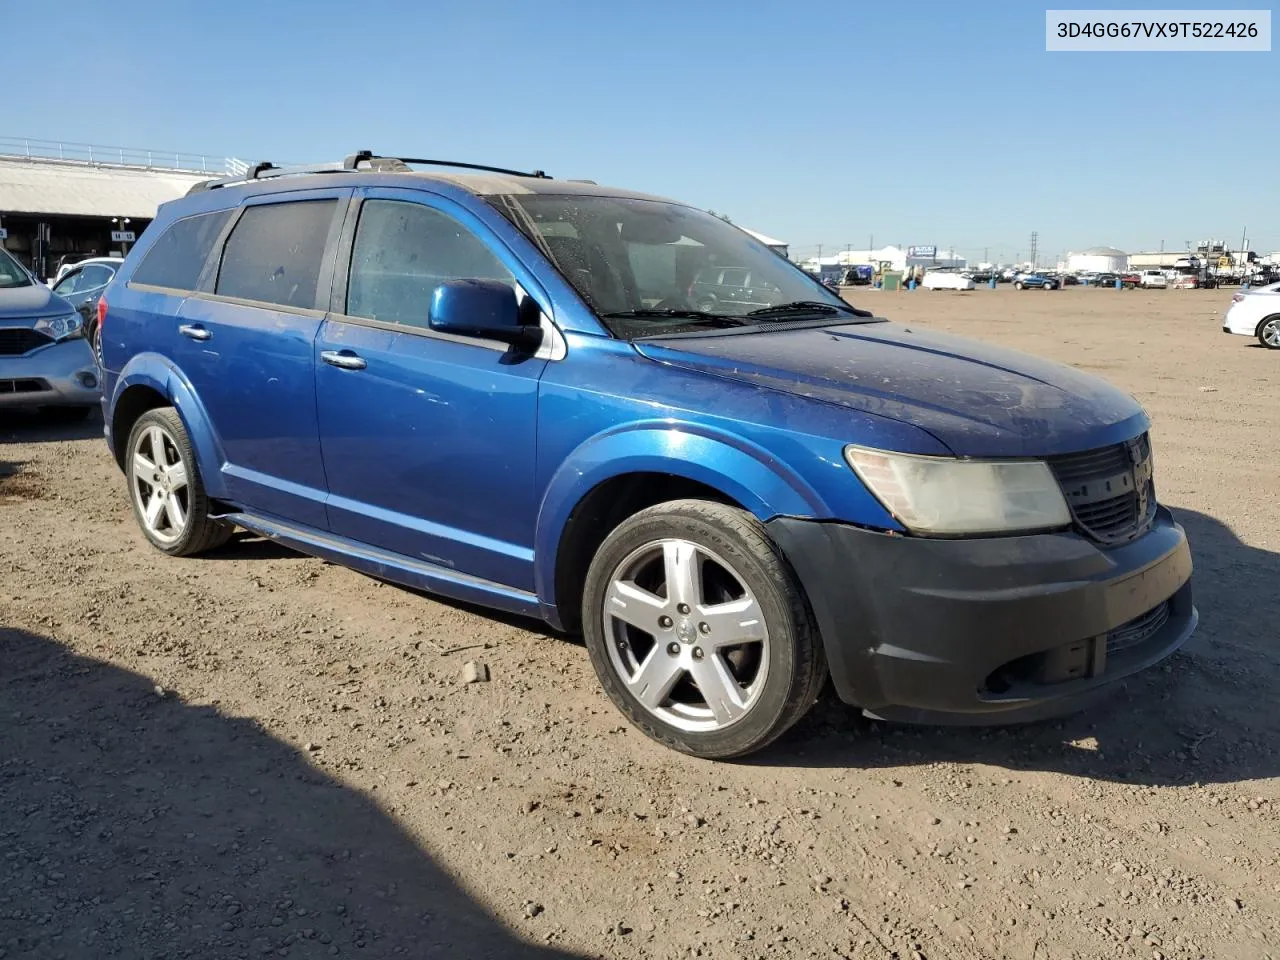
column 166, row 488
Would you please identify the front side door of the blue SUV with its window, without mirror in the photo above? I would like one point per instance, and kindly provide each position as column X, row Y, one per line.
column 429, row 440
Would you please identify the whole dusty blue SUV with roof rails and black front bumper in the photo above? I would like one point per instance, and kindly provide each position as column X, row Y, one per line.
column 506, row 388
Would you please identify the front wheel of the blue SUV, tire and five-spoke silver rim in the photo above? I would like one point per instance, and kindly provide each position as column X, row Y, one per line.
column 700, row 630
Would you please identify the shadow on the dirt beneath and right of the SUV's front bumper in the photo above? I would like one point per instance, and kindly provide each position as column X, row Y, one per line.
column 1210, row 715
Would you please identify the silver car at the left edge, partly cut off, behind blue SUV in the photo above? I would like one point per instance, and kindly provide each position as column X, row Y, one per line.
column 45, row 363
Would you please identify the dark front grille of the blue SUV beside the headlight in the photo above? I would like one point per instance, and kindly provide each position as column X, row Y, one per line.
column 1110, row 491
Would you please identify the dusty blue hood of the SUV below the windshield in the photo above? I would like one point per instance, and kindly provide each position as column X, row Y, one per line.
column 977, row 400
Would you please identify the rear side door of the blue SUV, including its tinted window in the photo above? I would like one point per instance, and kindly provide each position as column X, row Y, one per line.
column 246, row 346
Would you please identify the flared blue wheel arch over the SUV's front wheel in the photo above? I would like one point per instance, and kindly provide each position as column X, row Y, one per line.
column 751, row 476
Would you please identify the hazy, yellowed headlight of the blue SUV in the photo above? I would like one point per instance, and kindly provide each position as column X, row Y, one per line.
column 950, row 497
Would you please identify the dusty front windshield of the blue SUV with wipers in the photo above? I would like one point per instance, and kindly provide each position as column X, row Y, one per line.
column 651, row 268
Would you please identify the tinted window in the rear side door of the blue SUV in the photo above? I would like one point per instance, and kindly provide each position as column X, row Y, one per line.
column 275, row 253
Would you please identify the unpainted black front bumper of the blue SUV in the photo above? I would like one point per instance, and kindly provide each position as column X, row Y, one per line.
column 989, row 630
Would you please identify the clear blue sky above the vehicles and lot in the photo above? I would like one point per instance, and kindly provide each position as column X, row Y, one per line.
column 820, row 124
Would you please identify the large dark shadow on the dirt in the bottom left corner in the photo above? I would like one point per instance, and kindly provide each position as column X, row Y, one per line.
column 135, row 825
